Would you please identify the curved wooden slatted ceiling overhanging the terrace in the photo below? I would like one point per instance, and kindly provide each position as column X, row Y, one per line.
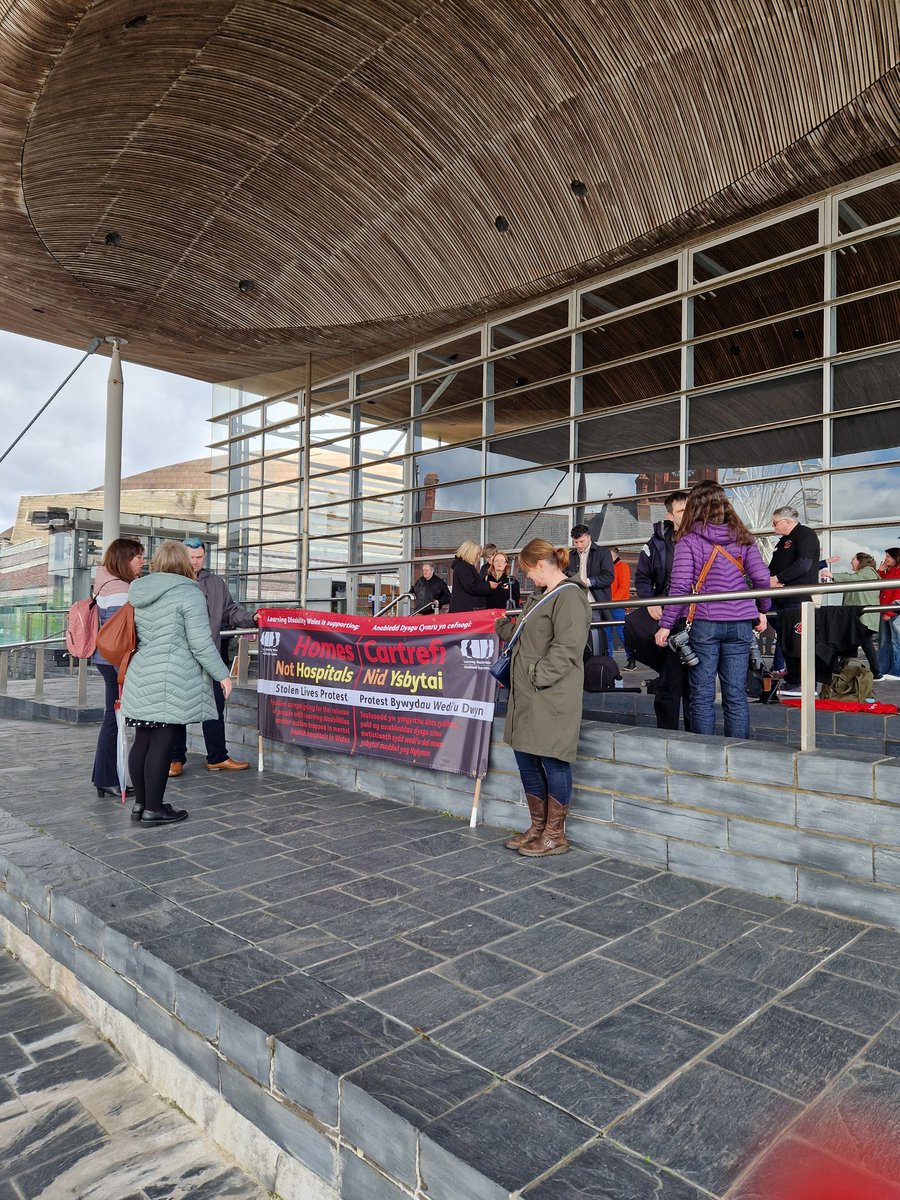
column 351, row 157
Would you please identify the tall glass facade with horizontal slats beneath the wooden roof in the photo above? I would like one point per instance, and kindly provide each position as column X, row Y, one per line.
column 767, row 358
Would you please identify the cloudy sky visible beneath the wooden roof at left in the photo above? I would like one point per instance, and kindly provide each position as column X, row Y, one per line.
column 165, row 421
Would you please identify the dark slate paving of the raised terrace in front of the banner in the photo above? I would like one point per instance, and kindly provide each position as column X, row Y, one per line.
column 574, row 1027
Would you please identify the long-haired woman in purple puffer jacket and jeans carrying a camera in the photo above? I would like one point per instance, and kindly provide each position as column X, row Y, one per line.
column 723, row 631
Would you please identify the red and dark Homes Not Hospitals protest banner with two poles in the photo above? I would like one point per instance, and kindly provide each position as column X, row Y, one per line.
column 416, row 689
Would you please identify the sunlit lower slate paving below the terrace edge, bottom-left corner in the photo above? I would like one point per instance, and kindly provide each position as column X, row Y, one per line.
column 77, row 1123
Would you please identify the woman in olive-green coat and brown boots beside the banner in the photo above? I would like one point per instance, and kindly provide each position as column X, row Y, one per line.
column 547, row 692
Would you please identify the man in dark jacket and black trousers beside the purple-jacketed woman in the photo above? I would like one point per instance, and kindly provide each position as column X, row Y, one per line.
column 655, row 571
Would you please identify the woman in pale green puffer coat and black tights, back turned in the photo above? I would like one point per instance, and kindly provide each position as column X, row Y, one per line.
column 169, row 680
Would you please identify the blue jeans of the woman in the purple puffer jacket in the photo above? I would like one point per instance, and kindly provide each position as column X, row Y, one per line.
column 724, row 650
